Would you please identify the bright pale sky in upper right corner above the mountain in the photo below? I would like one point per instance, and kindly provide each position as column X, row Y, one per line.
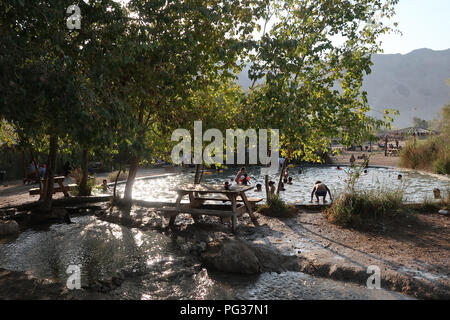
column 424, row 24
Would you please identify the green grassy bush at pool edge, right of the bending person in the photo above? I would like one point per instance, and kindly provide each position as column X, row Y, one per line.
column 354, row 209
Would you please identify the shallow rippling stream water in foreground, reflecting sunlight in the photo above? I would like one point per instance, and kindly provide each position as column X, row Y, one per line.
column 159, row 270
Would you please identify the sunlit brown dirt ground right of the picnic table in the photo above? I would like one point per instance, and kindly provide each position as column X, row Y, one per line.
column 412, row 254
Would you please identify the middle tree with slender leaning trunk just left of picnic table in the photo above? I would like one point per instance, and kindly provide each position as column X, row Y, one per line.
column 172, row 50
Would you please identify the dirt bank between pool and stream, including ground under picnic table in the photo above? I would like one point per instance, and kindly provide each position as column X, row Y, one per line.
column 413, row 253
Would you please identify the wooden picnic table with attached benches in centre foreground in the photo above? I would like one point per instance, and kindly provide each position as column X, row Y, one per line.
column 196, row 193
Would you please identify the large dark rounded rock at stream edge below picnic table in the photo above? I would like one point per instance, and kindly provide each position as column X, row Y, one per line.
column 232, row 256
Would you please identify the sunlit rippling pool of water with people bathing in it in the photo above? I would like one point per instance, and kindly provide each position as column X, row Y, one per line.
column 416, row 186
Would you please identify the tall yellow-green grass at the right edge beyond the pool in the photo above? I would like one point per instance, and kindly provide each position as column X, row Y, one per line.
column 432, row 155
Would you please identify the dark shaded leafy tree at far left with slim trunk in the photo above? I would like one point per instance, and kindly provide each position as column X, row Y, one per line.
column 47, row 69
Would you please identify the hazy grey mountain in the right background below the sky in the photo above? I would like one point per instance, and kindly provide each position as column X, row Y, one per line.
column 414, row 84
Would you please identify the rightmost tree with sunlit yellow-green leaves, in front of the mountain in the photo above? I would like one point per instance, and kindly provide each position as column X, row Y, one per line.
column 312, row 83
